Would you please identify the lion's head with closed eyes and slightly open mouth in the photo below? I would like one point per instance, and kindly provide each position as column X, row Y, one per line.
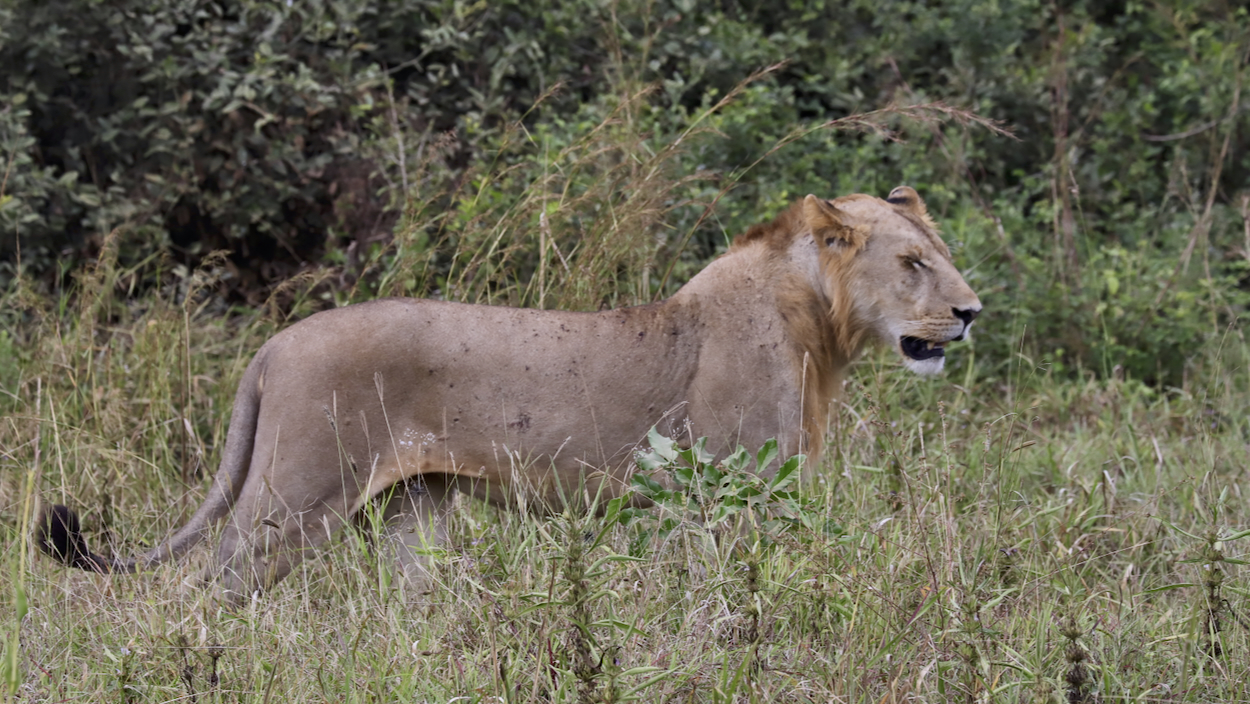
column 889, row 274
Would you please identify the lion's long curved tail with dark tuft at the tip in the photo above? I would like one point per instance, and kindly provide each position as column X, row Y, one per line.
column 59, row 535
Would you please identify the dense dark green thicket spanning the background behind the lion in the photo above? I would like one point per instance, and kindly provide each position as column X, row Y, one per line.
column 356, row 139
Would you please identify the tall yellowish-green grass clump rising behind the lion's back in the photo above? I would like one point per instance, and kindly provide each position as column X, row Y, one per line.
column 574, row 214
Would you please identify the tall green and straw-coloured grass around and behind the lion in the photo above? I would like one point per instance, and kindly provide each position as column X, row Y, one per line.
column 1012, row 538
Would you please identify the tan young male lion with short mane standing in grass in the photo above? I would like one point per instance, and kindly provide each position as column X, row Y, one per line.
column 437, row 397
